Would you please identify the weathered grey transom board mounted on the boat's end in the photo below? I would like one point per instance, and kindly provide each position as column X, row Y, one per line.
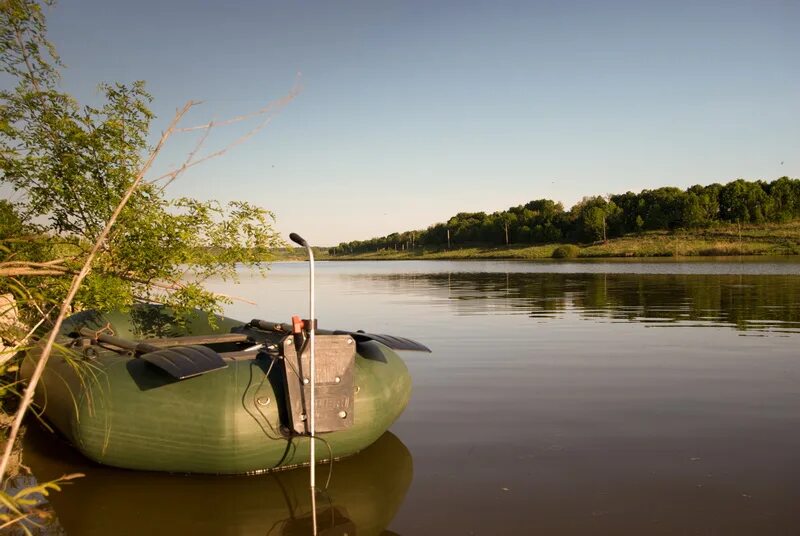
column 335, row 382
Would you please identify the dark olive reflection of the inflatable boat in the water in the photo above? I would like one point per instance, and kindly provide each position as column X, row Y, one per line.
column 363, row 497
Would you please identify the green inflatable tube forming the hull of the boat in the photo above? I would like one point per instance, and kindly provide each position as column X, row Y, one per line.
column 119, row 410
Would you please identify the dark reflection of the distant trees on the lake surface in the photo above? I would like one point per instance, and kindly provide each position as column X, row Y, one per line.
column 745, row 302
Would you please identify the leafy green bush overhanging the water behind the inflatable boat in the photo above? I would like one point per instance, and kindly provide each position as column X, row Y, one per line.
column 70, row 165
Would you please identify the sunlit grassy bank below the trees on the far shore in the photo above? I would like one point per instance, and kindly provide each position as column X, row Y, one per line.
column 720, row 240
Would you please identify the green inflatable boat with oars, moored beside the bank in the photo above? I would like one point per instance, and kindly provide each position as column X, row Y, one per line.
column 141, row 390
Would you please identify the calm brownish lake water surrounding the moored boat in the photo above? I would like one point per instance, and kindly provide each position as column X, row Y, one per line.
column 655, row 397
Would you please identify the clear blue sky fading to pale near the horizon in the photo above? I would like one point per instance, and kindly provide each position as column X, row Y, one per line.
column 413, row 111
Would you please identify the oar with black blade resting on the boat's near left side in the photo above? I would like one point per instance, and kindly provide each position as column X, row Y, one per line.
column 179, row 362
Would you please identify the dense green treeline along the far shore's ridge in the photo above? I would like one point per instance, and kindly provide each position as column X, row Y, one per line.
column 598, row 218
